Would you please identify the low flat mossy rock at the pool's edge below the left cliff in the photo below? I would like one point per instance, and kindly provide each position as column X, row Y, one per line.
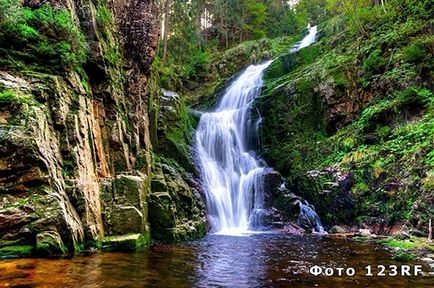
column 127, row 242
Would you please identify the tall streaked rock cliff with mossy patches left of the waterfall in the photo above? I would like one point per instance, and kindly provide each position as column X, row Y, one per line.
column 76, row 102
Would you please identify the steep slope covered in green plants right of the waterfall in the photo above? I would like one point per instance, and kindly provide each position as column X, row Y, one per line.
column 349, row 121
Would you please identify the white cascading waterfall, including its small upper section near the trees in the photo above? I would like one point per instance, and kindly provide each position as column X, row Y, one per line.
column 231, row 174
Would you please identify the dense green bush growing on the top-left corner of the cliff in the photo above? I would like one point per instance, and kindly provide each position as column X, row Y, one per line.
column 44, row 37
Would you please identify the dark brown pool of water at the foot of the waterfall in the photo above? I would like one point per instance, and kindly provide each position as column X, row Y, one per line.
column 260, row 260
